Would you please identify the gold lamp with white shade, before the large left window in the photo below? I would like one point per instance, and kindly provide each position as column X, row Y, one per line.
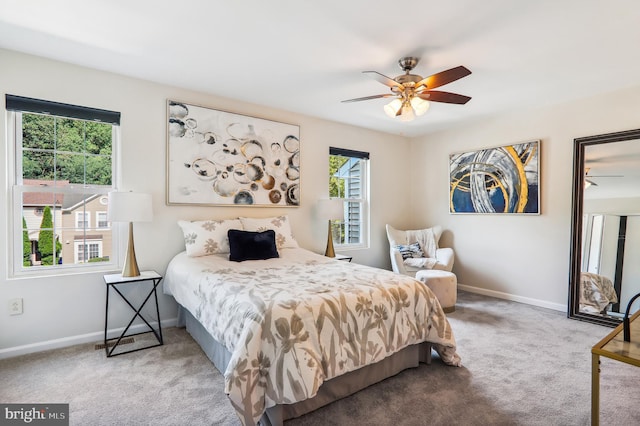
column 130, row 207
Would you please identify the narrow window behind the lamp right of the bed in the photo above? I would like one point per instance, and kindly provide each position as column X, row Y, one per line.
column 348, row 180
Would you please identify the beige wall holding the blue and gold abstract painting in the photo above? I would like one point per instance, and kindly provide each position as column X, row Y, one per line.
column 524, row 258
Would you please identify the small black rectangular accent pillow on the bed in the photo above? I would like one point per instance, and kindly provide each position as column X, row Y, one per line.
column 249, row 245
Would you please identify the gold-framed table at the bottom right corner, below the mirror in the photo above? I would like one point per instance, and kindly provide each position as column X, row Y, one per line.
column 613, row 346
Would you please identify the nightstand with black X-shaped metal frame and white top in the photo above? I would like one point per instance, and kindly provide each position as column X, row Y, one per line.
column 114, row 281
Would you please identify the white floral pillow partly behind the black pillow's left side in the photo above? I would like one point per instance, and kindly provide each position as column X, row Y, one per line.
column 207, row 236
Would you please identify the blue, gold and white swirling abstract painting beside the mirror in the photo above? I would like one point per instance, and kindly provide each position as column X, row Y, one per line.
column 504, row 179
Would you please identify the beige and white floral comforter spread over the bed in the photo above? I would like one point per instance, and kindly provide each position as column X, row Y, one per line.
column 293, row 322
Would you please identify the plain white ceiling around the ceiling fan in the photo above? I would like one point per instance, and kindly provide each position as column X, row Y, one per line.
column 307, row 56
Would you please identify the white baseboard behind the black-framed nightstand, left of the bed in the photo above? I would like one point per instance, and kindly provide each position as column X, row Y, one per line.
column 97, row 337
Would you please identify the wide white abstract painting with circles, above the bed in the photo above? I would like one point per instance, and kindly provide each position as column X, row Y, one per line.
column 221, row 158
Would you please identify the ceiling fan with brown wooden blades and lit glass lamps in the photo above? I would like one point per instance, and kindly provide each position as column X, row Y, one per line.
column 412, row 93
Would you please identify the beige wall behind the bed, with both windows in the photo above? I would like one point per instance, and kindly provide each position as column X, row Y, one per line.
column 64, row 310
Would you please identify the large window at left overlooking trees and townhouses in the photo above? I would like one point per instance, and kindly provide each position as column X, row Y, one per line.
column 62, row 166
